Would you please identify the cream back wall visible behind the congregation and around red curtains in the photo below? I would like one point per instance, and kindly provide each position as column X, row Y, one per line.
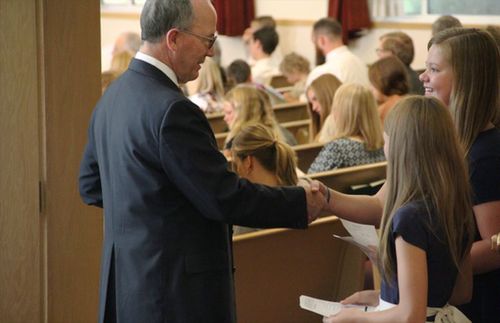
column 295, row 19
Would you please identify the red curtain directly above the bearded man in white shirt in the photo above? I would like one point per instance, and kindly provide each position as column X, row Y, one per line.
column 352, row 14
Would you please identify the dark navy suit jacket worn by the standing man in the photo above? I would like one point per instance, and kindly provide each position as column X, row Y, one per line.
column 152, row 163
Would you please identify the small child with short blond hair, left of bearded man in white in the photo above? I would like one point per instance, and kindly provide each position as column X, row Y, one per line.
column 295, row 68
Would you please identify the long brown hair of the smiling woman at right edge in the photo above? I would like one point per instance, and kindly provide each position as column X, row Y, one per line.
column 475, row 60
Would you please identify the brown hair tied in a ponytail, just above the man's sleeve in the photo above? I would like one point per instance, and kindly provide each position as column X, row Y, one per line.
column 273, row 154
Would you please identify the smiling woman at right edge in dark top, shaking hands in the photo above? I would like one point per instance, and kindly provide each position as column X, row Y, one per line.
column 462, row 72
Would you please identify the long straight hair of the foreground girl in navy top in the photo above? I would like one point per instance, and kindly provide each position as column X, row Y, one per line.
column 425, row 163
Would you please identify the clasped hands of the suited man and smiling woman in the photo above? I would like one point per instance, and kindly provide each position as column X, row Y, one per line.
column 318, row 198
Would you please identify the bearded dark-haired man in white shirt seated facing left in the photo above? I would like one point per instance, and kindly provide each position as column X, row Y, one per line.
column 340, row 61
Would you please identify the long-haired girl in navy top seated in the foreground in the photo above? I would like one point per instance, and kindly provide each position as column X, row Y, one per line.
column 427, row 223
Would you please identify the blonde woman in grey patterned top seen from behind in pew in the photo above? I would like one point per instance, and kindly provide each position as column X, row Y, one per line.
column 358, row 133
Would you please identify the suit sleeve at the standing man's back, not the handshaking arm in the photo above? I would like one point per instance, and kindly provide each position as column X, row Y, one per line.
column 90, row 180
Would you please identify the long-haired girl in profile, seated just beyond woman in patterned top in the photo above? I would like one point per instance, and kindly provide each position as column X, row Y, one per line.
column 320, row 97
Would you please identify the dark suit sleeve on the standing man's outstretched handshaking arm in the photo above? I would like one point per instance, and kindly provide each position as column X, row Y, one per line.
column 190, row 158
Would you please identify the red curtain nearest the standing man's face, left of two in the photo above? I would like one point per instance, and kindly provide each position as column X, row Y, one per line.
column 234, row 16
